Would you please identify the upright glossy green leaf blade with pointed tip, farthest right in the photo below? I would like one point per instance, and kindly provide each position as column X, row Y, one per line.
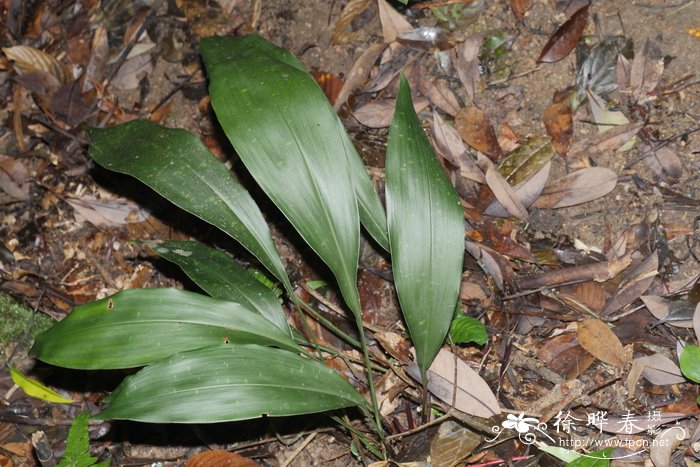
column 426, row 232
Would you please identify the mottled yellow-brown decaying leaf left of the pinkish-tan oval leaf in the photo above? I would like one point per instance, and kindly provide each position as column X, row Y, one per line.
column 527, row 160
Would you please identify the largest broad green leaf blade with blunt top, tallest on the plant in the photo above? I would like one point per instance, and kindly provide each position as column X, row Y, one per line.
column 292, row 143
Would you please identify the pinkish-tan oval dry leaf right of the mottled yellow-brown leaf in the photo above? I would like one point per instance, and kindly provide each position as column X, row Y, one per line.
column 577, row 188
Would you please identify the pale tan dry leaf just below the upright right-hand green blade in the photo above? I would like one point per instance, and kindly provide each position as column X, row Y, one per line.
column 474, row 396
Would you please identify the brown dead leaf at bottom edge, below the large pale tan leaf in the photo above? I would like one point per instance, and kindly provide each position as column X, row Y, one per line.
column 452, row 444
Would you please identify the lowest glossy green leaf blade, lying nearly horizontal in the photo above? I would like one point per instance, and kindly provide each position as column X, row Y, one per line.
column 227, row 383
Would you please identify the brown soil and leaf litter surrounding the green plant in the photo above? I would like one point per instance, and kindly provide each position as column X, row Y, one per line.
column 68, row 225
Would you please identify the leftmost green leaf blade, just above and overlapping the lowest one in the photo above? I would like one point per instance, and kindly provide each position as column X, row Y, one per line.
column 141, row 326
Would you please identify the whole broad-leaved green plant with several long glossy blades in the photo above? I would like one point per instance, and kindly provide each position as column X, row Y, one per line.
column 232, row 355
